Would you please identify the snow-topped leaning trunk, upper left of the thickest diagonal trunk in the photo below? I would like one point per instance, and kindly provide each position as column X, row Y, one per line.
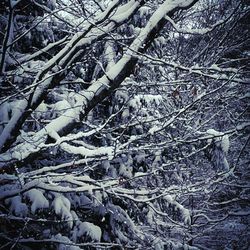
column 59, row 61
